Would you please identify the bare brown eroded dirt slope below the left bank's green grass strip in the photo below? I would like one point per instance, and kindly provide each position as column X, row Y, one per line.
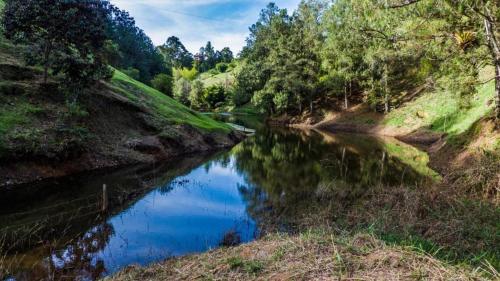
column 114, row 132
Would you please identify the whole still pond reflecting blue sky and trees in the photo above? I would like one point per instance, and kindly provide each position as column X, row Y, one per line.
column 65, row 230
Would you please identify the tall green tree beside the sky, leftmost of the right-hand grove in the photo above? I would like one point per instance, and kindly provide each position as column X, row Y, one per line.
column 284, row 51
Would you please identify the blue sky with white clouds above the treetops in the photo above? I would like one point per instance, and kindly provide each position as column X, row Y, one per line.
column 224, row 22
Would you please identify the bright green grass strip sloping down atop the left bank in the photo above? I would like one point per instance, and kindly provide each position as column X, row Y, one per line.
column 165, row 107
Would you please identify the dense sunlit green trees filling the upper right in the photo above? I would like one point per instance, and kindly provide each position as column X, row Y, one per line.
column 369, row 50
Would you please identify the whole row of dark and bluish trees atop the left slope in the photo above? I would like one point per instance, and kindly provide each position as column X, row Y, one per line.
column 79, row 39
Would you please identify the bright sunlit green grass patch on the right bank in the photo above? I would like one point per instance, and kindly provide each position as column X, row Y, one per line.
column 444, row 112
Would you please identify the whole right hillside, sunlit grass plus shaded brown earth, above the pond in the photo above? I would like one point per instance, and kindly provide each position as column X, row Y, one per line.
column 438, row 111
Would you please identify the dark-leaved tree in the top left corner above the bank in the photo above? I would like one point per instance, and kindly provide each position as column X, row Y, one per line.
column 67, row 36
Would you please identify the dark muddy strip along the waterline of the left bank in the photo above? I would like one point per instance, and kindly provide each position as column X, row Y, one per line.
column 15, row 173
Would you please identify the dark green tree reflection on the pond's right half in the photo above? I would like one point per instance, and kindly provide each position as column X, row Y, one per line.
column 290, row 172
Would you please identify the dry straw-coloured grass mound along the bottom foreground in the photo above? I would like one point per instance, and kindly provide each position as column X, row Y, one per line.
column 309, row 256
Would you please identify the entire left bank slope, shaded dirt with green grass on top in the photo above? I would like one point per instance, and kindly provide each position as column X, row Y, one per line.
column 116, row 122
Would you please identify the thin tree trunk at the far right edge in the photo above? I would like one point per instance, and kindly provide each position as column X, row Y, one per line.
column 495, row 52
